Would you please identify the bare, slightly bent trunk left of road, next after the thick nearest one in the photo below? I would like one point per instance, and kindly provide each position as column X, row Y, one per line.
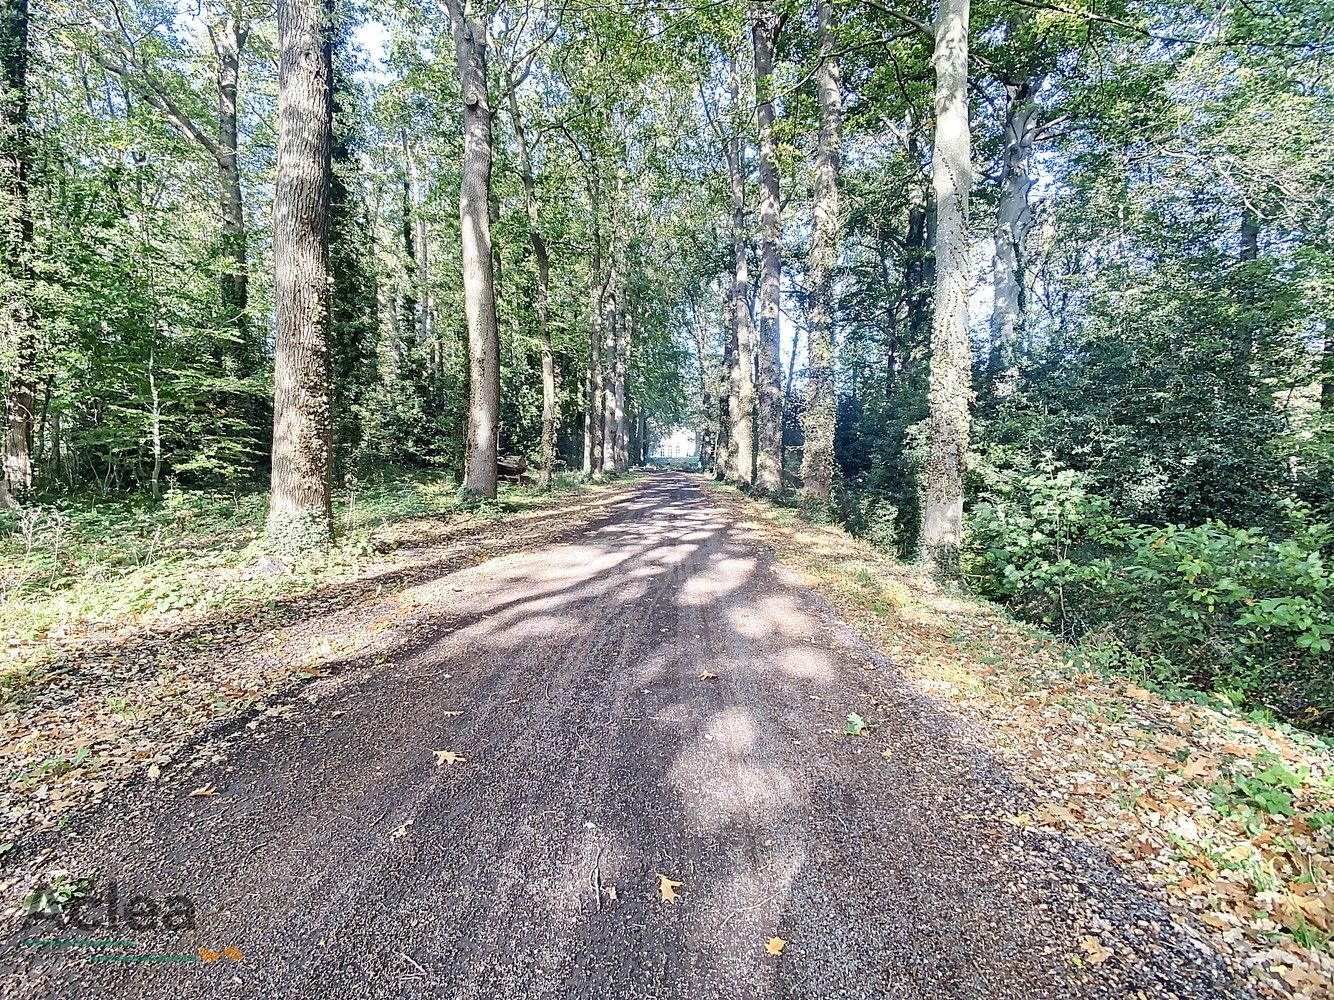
column 480, row 462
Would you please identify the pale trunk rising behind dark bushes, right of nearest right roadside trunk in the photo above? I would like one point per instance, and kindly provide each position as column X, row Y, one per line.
column 1015, row 219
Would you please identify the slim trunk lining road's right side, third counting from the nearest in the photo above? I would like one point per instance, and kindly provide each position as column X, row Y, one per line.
column 769, row 474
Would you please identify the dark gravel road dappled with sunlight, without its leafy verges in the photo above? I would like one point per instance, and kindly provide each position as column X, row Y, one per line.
column 340, row 857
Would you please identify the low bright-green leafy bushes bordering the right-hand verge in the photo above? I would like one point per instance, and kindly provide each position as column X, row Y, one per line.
column 1213, row 607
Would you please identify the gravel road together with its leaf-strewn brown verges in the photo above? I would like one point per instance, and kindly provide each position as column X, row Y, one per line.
column 493, row 774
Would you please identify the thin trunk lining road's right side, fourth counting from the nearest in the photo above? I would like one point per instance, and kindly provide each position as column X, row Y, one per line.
column 742, row 387
